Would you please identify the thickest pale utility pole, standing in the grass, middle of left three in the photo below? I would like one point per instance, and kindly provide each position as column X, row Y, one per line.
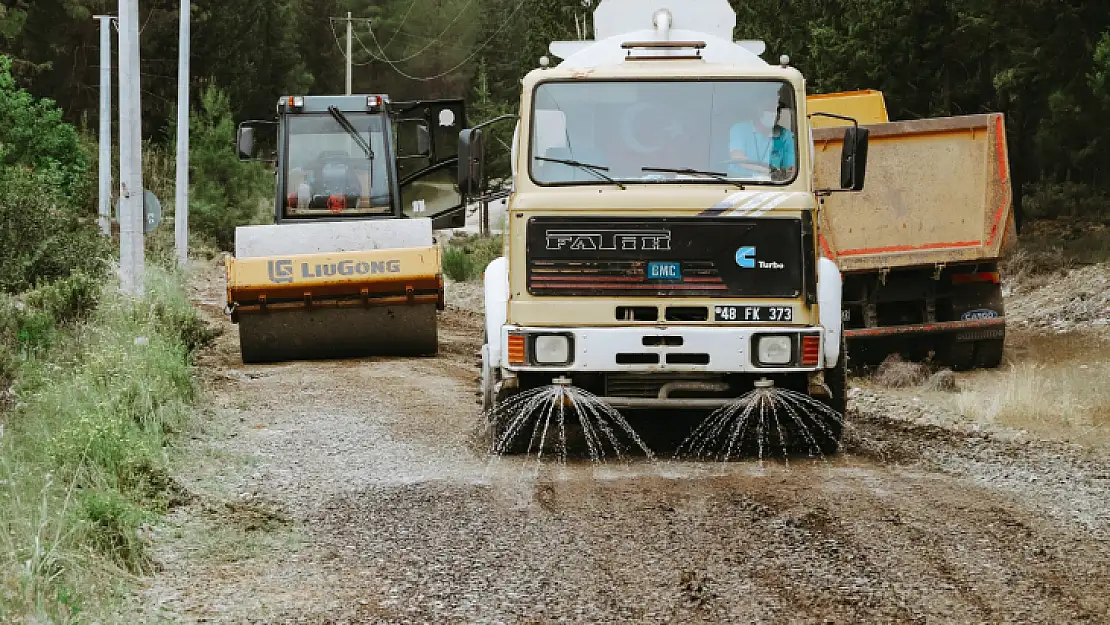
column 132, row 190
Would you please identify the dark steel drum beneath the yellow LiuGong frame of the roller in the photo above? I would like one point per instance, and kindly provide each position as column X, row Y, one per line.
column 328, row 334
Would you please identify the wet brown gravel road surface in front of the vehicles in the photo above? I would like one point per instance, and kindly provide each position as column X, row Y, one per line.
column 358, row 492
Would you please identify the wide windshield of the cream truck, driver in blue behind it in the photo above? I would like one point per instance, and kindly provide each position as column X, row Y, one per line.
column 703, row 132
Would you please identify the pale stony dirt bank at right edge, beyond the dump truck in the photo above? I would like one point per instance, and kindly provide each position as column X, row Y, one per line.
column 1079, row 300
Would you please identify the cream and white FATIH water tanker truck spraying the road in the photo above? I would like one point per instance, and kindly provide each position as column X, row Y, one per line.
column 662, row 246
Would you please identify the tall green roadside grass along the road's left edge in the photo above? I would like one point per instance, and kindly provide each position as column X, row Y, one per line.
column 99, row 397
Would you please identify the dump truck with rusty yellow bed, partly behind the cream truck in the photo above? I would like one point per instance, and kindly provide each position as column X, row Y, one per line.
column 920, row 248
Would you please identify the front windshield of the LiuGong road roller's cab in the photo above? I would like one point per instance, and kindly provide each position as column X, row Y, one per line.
column 328, row 173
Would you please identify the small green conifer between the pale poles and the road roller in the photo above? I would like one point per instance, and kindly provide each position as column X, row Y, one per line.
column 225, row 193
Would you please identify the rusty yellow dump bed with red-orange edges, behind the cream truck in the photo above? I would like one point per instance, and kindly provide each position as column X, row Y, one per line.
column 937, row 193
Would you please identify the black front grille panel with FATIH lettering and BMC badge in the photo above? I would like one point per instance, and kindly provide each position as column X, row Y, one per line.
column 707, row 257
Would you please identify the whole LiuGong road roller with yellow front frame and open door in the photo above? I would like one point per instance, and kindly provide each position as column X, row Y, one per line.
column 350, row 267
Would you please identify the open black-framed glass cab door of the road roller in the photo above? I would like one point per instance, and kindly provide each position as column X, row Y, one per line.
column 427, row 137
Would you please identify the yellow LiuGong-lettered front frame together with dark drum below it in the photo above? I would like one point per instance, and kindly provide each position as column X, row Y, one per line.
column 340, row 305
